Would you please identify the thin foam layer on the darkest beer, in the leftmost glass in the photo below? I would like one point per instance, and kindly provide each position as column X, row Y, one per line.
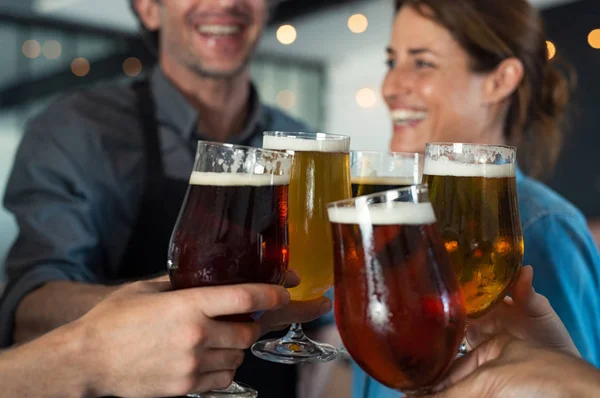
column 237, row 179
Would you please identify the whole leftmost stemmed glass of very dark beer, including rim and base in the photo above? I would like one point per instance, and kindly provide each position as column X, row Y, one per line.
column 232, row 227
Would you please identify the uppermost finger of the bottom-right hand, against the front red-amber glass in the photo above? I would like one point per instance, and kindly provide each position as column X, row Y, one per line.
column 464, row 366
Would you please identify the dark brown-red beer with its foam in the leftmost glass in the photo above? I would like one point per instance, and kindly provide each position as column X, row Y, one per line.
column 231, row 229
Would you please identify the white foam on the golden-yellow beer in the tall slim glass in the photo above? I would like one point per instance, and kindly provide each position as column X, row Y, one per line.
column 320, row 144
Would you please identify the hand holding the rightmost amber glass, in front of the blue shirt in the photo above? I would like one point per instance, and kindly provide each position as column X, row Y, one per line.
column 525, row 315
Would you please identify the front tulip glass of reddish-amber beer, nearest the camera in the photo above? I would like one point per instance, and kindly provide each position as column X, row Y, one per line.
column 399, row 308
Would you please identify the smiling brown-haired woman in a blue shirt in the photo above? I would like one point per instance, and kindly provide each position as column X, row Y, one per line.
column 477, row 71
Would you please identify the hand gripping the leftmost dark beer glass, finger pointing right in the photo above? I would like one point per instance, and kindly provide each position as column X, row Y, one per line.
column 145, row 340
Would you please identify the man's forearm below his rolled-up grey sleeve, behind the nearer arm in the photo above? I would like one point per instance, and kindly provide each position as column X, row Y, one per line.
column 53, row 305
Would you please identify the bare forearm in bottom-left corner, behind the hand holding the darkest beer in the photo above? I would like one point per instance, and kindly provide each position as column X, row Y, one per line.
column 51, row 366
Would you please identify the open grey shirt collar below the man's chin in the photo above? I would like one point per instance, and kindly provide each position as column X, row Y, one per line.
column 174, row 110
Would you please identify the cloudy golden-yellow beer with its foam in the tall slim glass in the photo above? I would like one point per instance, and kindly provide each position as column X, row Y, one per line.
column 320, row 174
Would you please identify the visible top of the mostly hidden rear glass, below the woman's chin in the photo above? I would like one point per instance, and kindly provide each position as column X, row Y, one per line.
column 373, row 172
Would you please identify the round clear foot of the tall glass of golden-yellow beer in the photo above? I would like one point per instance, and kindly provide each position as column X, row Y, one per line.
column 290, row 352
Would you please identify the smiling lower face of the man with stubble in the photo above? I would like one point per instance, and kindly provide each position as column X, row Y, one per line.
column 214, row 38
